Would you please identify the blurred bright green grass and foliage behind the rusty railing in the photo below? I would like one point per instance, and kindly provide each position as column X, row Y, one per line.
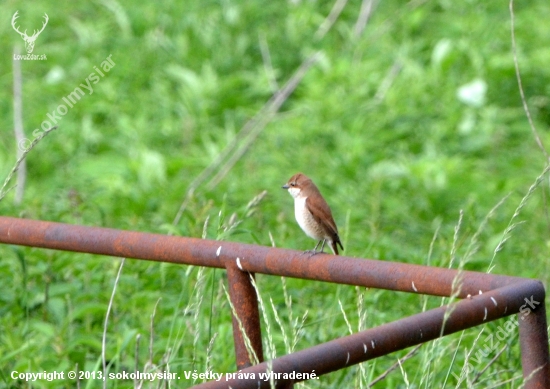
column 377, row 122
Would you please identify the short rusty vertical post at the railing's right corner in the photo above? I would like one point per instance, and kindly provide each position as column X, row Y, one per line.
column 534, row 346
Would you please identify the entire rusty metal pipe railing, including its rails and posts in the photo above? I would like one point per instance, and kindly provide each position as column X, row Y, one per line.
column 487, row 296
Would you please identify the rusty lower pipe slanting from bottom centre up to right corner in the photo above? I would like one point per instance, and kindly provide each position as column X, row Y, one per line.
column 398, row 335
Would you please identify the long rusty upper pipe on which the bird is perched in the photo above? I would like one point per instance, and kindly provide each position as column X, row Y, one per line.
column 254, row 259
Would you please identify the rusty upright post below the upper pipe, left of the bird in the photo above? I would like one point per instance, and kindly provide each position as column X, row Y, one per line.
column 245, row 303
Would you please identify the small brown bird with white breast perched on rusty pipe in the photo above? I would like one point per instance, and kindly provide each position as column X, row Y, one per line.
column 313, row 213
